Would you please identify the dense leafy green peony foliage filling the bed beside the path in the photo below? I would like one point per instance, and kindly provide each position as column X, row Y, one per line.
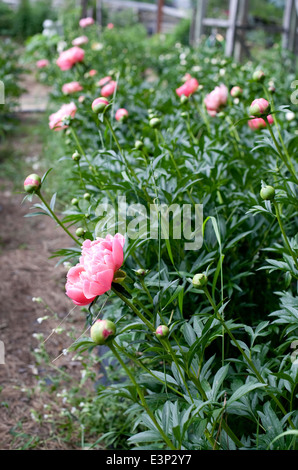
column 225, row 377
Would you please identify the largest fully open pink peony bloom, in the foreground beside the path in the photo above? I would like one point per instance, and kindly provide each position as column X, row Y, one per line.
column 94, row 273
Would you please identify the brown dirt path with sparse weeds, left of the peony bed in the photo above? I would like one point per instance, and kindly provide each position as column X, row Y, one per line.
column 27, row 273
